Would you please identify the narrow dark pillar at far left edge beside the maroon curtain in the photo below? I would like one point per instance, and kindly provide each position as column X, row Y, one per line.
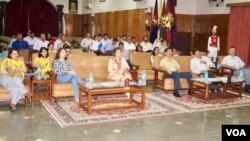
column 3, row 6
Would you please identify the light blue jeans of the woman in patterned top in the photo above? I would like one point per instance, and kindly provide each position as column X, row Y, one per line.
column 74, row 79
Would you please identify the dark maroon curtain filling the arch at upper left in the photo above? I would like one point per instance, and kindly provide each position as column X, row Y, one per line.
column 36, row 15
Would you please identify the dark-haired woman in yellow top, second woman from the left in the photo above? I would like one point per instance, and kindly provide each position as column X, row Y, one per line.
column 42, row 61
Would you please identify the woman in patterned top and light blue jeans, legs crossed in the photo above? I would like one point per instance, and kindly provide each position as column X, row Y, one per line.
column 65, row 72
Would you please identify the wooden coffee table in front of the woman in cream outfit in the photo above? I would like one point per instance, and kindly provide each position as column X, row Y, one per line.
column 114, row 88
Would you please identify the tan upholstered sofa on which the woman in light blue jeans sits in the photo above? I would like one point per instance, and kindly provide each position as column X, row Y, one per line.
column 83, row 65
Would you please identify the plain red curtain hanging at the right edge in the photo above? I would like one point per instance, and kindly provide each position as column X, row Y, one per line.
column 239, row 31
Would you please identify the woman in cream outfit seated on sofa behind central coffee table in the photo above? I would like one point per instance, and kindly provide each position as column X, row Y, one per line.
column 118, row 67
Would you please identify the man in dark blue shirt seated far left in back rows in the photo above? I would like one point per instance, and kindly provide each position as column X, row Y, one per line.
column 20, row 43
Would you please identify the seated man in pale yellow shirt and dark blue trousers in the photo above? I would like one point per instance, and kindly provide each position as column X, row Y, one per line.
column 173, row 68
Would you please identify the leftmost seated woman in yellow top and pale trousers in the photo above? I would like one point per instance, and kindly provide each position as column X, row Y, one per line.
column 12, row 75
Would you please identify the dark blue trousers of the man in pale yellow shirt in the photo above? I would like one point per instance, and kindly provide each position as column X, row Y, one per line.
column 176, row 76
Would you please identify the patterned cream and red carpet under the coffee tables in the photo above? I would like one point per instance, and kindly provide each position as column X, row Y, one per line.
column 66, row 112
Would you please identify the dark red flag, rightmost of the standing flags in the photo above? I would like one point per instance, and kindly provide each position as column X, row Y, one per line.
column 171, row 31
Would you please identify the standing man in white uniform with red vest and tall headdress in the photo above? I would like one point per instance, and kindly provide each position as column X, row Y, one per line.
column 213, row 45
